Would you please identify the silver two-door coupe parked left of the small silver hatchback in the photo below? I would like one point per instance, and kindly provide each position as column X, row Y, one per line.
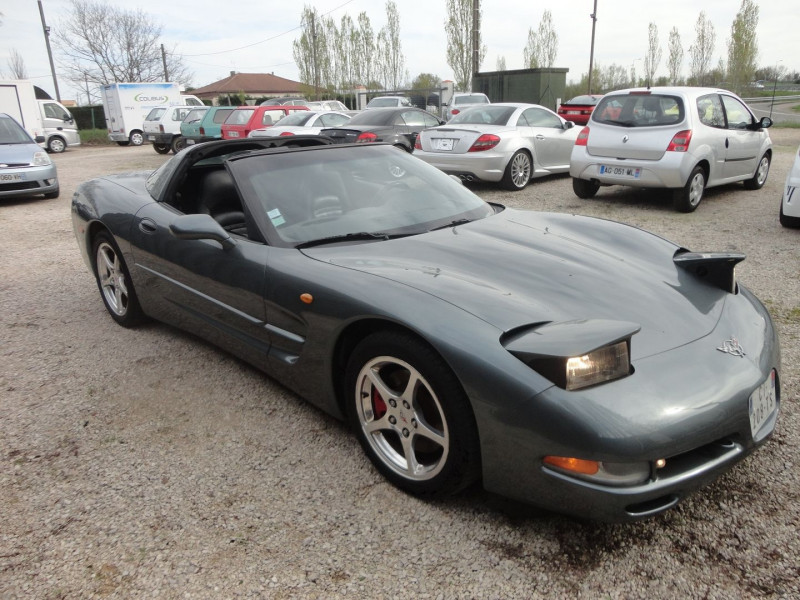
column 510, row 143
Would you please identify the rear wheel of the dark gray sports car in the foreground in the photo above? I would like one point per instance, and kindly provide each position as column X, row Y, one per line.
column 114, row 281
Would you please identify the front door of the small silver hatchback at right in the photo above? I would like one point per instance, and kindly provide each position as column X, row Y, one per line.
column 742, row 144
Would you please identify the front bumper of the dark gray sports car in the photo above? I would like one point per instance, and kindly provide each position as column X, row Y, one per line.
column 689, row 406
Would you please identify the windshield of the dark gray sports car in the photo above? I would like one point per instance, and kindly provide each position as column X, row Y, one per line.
column 329, row 192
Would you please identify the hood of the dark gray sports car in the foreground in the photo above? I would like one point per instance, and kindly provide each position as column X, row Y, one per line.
column 518, row 268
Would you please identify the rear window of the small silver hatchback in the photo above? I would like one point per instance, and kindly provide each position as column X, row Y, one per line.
column 639, row 110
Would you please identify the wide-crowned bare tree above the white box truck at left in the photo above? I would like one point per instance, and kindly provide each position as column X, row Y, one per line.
column 102, row 44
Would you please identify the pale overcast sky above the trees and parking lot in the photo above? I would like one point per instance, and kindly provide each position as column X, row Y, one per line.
column 256, row 36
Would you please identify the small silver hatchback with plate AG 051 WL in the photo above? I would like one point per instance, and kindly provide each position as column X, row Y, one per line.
column 680, row 138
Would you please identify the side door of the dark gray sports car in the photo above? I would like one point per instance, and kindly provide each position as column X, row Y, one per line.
column 214, row 292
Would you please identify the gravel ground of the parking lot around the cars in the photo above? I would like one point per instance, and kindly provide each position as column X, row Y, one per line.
column 147, row 463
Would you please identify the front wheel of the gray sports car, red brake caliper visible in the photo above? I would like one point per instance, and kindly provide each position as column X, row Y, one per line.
column 432, row 423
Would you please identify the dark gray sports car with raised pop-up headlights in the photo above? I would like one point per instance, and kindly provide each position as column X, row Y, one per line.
column 574, row 363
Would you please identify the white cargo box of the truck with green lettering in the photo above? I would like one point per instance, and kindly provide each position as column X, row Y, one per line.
column 127, row 104
